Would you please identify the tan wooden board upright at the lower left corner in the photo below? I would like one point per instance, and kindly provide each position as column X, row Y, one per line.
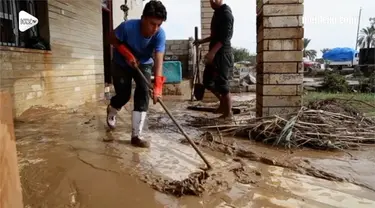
column 10, row 185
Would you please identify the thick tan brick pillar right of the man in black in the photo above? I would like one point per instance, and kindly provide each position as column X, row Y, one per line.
column 279, row 56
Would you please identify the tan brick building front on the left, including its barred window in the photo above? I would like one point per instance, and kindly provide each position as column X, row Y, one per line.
column 61, row 60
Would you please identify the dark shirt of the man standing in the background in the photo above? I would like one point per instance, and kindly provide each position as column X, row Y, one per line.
column 222, row 28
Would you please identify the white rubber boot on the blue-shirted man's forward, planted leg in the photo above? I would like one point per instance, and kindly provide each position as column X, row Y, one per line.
column 138, row 121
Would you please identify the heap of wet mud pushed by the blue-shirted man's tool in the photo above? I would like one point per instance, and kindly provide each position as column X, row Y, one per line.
column 202, row 182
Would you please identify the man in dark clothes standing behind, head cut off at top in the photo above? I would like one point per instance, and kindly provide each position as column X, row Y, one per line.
column 219, row 59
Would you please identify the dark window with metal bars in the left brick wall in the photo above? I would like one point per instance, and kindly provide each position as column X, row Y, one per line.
column 36, row 37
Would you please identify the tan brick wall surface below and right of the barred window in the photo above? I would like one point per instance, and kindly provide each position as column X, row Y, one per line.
column 71, row 73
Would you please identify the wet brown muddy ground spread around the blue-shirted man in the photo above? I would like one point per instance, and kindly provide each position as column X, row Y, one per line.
column 65, row 163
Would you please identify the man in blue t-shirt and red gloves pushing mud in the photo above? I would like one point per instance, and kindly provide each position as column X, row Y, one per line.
column 143, row 37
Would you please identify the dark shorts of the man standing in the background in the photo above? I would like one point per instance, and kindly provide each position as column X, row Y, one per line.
column 216, row 75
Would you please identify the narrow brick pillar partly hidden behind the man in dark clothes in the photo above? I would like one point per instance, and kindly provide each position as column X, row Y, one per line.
column 206, row 16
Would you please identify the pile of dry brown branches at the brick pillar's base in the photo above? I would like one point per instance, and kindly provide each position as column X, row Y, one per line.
column 310, row 127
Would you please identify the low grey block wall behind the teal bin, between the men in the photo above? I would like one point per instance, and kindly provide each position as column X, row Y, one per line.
column 181, row 50
